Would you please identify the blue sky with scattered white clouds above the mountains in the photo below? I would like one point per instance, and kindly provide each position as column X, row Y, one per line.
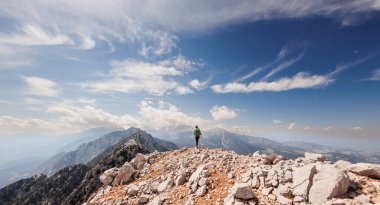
column 285, row 70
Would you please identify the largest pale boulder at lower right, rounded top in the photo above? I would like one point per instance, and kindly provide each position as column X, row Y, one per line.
column 329, row 182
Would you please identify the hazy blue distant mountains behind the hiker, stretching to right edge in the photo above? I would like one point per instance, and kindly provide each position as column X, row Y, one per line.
column 243, row 144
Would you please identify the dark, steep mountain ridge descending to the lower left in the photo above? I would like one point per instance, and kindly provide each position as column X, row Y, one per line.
column 74, row 184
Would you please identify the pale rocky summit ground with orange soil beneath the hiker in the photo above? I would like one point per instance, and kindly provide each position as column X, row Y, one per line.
column 214, row 176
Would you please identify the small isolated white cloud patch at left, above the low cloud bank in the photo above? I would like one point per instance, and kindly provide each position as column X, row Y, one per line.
column 41, row 86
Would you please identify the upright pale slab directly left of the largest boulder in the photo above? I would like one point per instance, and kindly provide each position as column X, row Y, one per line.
column 302, row 180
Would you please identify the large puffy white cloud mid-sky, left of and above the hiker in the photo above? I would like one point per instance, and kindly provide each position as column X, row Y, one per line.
column 136, row 76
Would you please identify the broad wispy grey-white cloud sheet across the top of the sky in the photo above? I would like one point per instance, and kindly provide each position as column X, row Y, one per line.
column 151, row 26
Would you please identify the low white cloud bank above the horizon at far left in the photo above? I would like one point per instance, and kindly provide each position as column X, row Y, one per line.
column 73, row 117
